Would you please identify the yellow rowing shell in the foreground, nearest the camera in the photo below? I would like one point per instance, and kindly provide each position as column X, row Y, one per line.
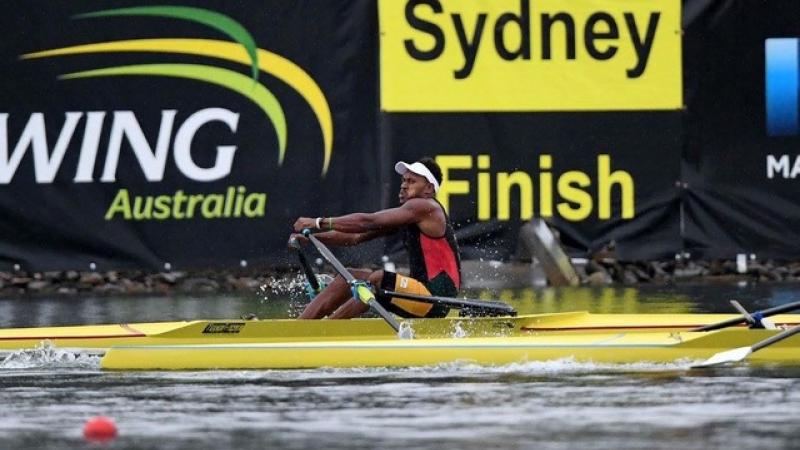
column 602, row 347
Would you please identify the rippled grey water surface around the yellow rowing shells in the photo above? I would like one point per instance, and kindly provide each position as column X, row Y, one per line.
column 48, row 395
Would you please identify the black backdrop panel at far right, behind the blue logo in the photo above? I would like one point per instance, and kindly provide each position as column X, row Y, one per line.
column 731, row 204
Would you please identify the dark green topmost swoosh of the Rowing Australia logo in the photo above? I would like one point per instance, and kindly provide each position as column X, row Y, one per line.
column 206, row 17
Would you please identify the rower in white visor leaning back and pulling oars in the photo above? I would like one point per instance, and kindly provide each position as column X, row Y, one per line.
column 429, row 239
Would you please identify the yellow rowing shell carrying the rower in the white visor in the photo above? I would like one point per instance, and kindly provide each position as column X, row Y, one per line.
column 209, row 332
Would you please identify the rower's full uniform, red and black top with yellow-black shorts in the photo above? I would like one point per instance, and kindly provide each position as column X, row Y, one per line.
column 435, row 267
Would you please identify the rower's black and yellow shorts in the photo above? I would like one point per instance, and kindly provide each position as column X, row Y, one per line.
column 441, row 285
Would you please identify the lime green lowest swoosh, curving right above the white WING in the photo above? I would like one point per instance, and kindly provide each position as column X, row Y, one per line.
column 215, row 75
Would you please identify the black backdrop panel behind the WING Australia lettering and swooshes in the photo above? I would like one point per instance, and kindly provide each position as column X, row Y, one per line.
column 62, row 223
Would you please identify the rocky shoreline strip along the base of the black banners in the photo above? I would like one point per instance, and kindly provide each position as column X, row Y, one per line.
column 593, row 272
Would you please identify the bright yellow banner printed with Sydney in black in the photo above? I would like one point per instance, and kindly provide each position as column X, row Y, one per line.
column 530, row 55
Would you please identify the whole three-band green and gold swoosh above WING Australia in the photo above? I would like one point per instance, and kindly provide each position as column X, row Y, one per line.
column 243, row 51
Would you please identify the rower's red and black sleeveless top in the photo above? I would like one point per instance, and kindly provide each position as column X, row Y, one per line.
column 431, row 258
